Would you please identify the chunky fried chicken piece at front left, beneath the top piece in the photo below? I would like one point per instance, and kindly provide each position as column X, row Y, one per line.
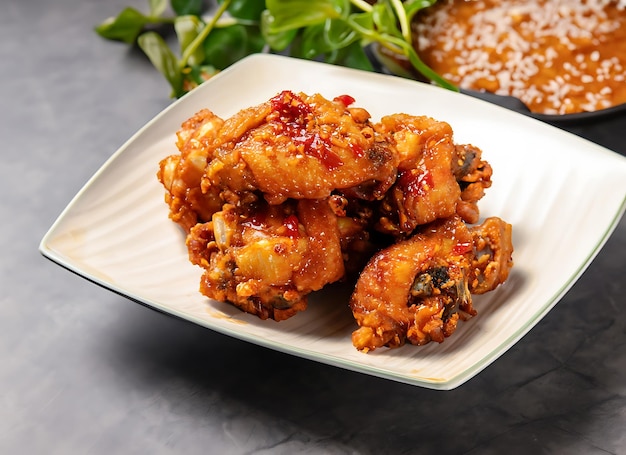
column 265, row 259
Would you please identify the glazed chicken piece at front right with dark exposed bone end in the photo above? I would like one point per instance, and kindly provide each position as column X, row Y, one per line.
column 414, row 289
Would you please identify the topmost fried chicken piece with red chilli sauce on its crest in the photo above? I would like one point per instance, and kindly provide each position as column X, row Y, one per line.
column 302, row 147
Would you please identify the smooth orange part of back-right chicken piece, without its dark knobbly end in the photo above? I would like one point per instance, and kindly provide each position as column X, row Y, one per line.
column 426, row 188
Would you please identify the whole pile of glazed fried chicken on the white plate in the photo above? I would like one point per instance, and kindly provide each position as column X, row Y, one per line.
column 288, row 196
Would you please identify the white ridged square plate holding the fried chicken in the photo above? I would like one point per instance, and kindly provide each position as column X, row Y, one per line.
column 563, row 195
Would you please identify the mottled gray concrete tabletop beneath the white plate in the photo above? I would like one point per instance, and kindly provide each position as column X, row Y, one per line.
column 85, row 371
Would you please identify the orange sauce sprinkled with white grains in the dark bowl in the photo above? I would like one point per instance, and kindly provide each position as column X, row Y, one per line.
column 557, row 56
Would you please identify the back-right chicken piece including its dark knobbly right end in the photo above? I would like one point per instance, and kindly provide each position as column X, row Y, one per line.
column 436, row 178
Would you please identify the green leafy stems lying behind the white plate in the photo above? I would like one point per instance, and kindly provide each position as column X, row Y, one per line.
column 334, row 31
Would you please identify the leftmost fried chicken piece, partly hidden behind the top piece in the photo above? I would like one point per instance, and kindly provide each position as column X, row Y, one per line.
column 181, row 174
